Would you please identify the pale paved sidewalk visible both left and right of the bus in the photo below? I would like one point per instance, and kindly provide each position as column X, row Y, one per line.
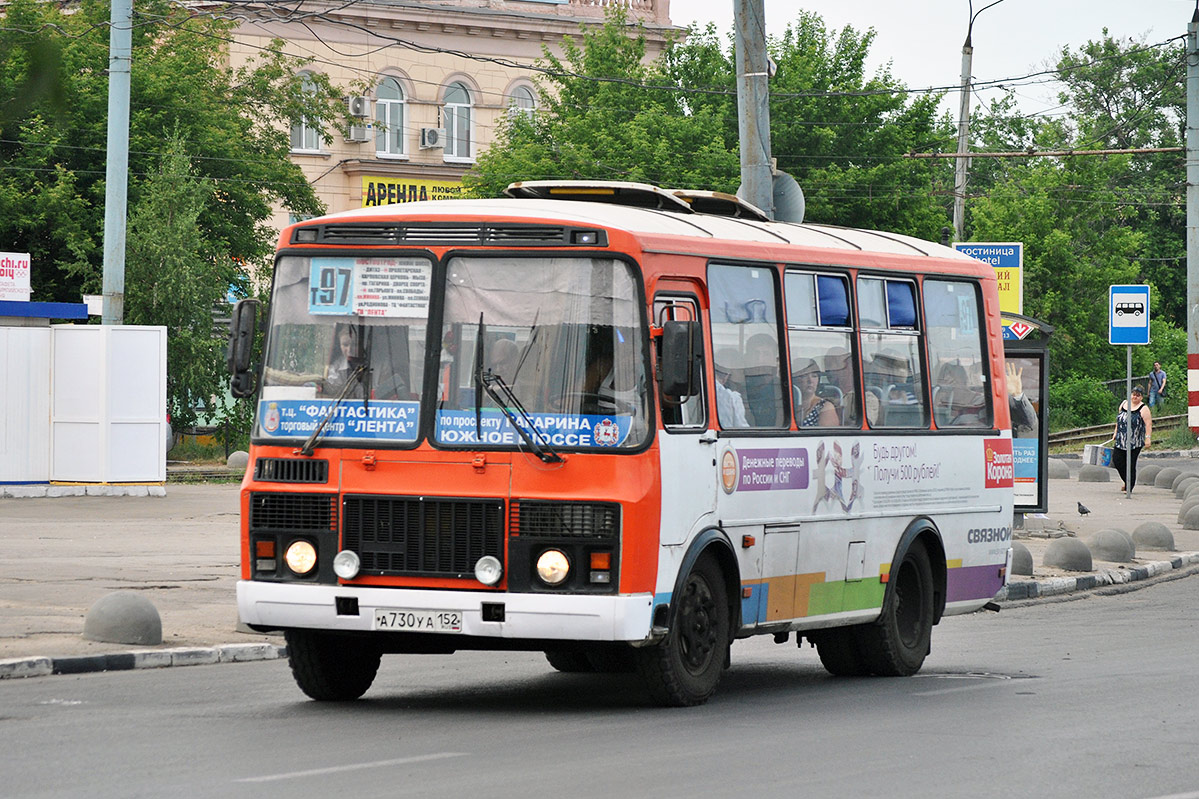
column 62, row 555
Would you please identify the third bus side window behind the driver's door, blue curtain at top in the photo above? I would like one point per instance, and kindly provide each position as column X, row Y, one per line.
column 891, row 363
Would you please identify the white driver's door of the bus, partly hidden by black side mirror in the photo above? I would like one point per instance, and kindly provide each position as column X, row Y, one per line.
column 688, row 447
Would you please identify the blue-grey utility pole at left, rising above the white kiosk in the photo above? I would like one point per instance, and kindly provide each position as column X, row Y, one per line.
column 120, row 55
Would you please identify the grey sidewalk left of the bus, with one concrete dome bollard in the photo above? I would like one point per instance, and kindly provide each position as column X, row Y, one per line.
column 63, row 554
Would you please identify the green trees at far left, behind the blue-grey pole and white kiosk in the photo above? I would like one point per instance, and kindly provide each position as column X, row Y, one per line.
column 209, row 160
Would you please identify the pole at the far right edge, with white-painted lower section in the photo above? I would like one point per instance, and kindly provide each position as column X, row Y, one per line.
column 1194, row 223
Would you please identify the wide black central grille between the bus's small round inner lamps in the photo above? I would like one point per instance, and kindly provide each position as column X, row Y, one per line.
column 431, row 537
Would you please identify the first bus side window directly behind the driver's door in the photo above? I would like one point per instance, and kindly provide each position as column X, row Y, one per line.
column 745, row 339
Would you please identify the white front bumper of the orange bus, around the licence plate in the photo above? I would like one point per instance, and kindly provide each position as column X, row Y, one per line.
column 557, row 617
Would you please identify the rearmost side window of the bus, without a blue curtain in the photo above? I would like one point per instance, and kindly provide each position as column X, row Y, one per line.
column 953, row 310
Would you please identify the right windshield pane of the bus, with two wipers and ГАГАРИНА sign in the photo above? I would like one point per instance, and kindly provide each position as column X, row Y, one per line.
column 564, row 341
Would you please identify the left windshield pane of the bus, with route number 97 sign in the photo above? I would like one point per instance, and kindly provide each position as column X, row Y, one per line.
column 346, row 351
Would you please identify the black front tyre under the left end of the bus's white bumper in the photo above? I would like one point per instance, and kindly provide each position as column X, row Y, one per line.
column 329, row 668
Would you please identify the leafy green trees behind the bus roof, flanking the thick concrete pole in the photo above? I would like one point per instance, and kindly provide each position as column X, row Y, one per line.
column 606, row 115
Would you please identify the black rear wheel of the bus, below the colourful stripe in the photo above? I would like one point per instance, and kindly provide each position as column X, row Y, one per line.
column 896, row 645
